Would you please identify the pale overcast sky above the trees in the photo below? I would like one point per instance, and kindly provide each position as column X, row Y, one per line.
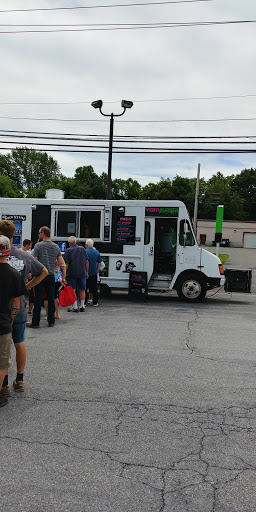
column 184, row 81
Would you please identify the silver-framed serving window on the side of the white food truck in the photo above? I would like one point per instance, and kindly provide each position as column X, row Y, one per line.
column 82, row 224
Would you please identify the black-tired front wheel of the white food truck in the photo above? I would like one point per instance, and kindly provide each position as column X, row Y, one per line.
column 191, row 288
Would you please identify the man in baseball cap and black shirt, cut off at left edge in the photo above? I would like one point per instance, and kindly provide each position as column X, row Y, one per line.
column 11, row 289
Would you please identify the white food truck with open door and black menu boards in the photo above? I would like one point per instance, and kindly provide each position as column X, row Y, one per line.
column 155, row 237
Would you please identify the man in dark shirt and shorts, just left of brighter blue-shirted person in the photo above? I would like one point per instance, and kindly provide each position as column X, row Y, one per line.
column 76, row 260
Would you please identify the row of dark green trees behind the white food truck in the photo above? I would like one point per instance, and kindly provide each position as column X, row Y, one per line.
column 28, row 173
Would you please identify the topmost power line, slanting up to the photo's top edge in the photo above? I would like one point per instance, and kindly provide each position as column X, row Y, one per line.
column 104, row 6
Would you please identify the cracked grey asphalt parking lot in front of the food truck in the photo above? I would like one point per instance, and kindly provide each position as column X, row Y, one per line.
column 133, row 407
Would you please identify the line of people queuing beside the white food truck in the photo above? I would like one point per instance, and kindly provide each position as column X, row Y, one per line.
column 81, row 265
